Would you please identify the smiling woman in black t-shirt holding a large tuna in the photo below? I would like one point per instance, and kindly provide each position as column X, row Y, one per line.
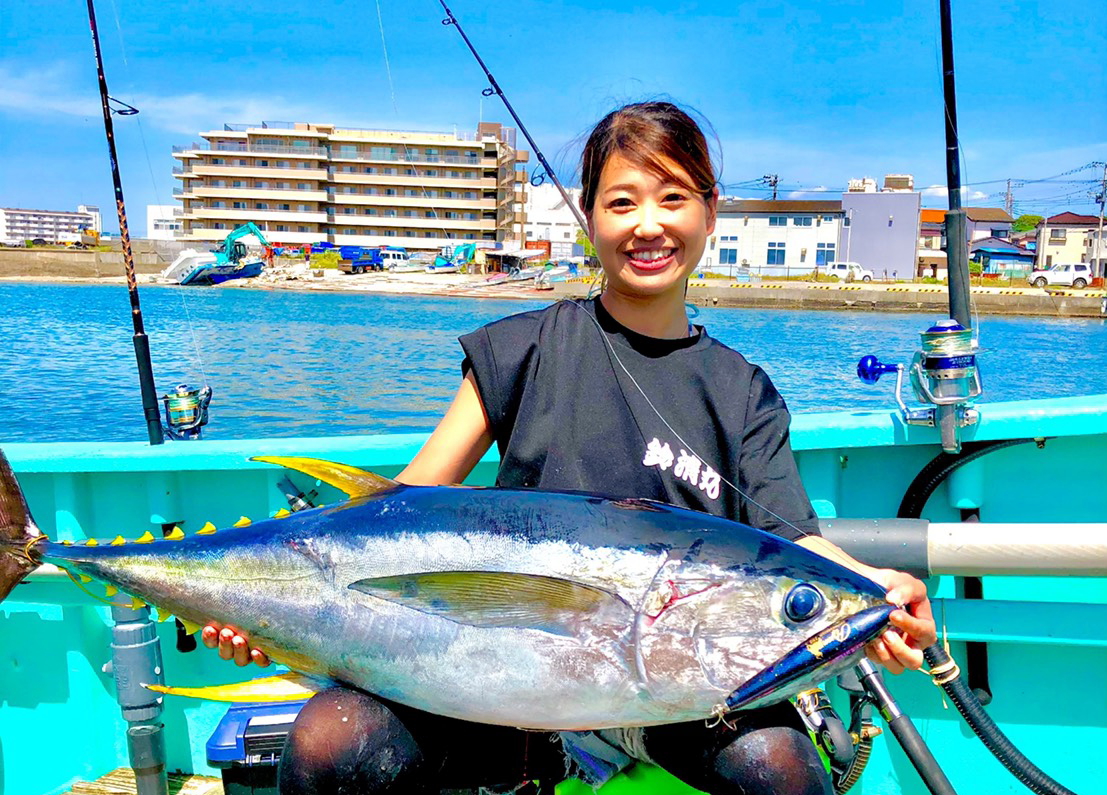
column 620, row 396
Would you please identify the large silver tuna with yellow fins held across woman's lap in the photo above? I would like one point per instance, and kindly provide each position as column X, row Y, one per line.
column 532, row 610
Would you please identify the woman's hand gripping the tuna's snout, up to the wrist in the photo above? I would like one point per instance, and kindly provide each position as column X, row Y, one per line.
column 914, row 628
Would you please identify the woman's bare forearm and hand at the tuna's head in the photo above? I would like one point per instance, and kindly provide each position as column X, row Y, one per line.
column 894, row 651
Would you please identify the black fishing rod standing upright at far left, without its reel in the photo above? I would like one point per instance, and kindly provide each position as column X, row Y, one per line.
column 141, row 342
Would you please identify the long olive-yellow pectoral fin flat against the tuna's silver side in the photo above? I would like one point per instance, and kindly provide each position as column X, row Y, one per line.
column 499, row 598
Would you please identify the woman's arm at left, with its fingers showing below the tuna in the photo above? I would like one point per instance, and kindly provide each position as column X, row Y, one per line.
column 462, row 438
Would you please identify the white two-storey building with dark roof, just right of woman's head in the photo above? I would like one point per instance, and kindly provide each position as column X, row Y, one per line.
column 774, row 239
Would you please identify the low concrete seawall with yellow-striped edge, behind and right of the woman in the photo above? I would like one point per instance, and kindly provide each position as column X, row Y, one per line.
column 905, row 298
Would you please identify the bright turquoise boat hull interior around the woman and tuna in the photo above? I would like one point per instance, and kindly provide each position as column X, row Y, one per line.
column 1047, row 636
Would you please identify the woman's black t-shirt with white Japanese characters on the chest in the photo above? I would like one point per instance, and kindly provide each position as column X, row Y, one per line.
column 560, row 389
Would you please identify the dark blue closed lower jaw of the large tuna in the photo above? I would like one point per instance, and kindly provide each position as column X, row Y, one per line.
column 837, row 643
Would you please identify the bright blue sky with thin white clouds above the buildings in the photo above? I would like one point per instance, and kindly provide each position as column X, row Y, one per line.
column 815, row 92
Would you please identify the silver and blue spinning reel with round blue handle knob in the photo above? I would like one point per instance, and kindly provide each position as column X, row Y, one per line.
column 944, row 374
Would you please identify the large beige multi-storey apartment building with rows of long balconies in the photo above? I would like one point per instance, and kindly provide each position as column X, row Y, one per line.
column 306, row 183
